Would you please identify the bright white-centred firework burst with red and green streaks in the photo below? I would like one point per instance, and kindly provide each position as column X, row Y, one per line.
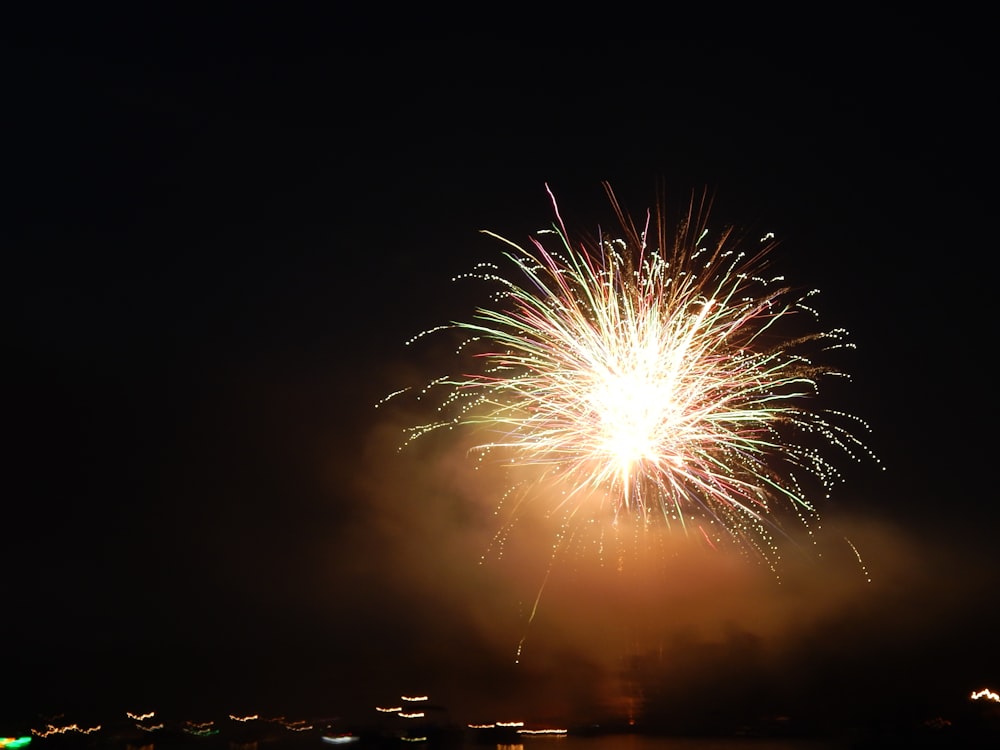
column 658, row 375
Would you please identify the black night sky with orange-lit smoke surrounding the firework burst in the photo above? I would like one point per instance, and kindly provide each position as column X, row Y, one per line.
column 219, row 232
